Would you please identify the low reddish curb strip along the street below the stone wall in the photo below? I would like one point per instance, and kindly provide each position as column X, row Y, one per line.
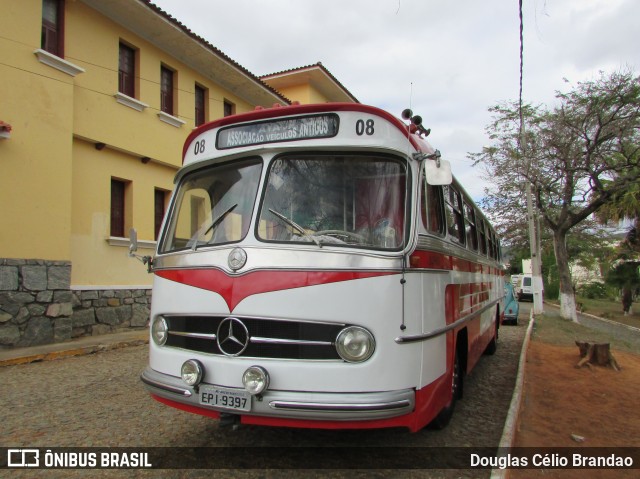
column 71, row 350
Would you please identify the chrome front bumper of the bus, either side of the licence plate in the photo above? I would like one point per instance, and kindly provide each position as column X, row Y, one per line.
column 295, row 404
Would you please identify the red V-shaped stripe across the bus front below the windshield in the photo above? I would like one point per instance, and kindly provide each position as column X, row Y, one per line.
column 234, row 289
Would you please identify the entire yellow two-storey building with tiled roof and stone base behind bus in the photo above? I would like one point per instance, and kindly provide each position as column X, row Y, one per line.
column 97, row 100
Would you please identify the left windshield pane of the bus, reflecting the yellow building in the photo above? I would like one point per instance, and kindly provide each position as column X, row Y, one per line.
column 213, row 206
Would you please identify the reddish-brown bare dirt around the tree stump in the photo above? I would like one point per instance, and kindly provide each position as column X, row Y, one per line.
column 564, row 406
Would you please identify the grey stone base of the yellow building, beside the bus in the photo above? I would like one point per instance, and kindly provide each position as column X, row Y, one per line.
column 37, row 305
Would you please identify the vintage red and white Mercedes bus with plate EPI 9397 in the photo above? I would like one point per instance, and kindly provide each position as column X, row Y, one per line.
column 319, row 267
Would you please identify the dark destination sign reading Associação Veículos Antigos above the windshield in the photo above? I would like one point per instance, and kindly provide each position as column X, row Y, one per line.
column 273, row 131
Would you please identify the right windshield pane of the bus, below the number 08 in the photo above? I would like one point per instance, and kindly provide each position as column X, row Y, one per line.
column 338, row 200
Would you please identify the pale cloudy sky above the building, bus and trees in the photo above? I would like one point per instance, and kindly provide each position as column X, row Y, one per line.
column 449, row 61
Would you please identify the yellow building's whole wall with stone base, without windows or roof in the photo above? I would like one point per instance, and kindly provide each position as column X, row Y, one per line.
column 61, row 274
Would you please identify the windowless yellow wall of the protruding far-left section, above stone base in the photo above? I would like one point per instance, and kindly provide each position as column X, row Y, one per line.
column 35, row 183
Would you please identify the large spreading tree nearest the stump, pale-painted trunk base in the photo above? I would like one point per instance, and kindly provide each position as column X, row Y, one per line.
column 577, row 155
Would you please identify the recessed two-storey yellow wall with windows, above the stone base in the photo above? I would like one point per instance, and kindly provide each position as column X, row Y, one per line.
column 129, row 136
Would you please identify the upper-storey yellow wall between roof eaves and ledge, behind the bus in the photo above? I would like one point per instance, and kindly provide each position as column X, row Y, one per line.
column 92, row 43
